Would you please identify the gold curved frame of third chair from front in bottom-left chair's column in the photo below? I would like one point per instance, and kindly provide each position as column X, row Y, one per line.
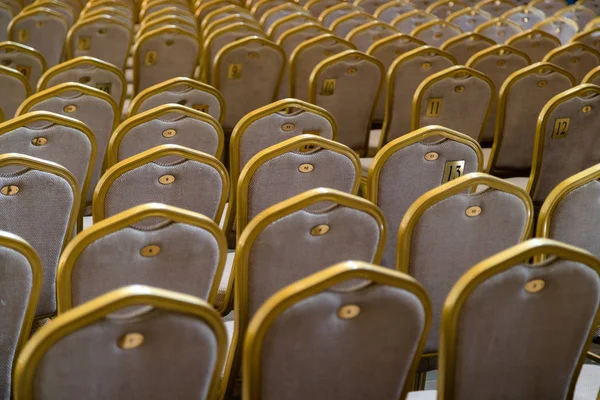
column 147, row 157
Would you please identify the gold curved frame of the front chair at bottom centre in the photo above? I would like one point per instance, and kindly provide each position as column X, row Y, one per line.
column 311, row 286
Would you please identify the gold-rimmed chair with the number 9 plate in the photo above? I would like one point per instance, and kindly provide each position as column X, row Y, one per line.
column 248, row 69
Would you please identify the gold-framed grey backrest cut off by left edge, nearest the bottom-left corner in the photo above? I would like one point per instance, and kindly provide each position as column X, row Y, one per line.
column 20, row 284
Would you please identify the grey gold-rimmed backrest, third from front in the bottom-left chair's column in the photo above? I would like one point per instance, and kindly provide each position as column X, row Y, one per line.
column 168, row 174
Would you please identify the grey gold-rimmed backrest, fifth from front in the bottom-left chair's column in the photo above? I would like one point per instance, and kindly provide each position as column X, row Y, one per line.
column 184, row 91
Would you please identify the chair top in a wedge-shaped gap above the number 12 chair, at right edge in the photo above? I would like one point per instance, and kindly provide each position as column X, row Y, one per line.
column 577, row 58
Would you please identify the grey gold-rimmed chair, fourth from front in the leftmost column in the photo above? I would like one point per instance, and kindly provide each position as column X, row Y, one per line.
column 95, row 108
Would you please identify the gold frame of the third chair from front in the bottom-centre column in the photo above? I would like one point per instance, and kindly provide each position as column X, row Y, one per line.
column 277, row 150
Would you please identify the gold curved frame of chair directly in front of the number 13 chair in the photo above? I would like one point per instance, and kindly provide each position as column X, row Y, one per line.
column 454, row 187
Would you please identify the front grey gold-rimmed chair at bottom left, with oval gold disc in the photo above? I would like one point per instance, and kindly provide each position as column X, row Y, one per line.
column 146, row 351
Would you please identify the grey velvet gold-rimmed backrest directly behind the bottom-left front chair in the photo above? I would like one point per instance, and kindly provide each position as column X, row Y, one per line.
column 181, row 251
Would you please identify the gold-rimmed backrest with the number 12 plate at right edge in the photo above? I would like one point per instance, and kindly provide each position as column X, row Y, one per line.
column 574, row 110
